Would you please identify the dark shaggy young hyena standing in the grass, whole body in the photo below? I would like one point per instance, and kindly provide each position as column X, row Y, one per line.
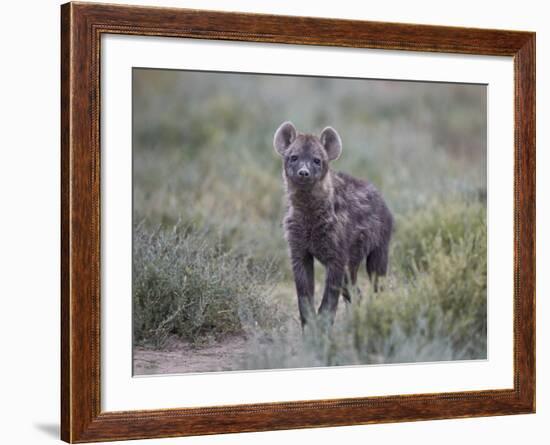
column 331, row 216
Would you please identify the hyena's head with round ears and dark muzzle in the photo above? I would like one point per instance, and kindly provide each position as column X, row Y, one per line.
column 306, row 157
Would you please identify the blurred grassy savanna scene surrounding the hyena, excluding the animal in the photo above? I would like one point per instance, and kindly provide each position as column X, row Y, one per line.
column 212, row 286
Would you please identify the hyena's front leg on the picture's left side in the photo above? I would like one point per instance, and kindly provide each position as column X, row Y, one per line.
column 302, row 268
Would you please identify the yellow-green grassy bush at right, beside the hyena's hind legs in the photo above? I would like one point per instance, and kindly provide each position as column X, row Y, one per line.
column 433, row 306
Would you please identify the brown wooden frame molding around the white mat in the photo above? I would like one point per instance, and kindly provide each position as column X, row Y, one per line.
column 82, row 25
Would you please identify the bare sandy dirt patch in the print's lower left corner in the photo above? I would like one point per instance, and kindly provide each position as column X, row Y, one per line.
column 180, row 357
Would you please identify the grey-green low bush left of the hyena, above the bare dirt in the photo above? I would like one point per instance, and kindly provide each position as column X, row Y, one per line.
column 187, row 286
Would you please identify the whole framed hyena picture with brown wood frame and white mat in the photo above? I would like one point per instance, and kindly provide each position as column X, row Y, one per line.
column 274, row 222
